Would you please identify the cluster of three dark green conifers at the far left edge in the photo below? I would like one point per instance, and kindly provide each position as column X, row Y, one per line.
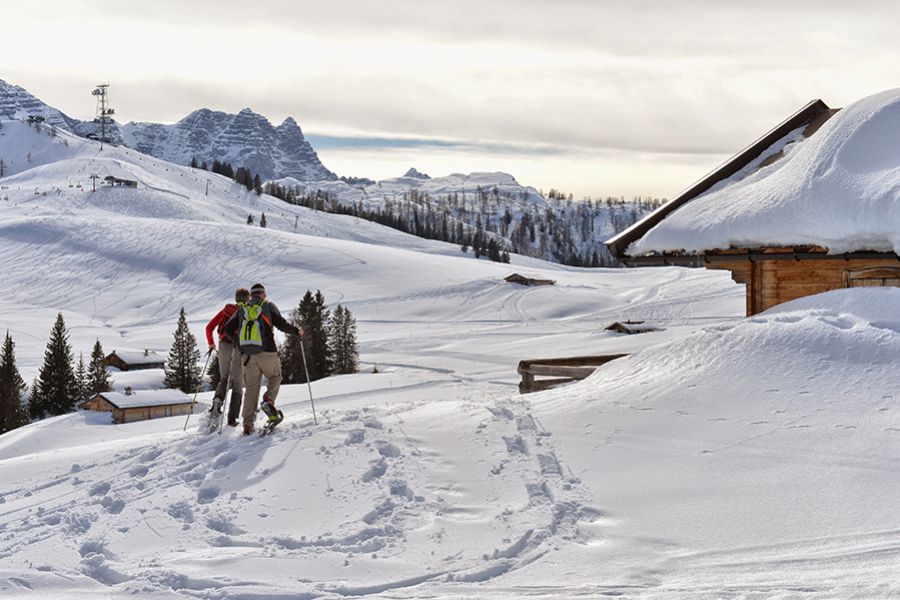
column 61, row 385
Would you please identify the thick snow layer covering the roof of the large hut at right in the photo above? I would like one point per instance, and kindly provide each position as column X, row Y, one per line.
column 838, row 189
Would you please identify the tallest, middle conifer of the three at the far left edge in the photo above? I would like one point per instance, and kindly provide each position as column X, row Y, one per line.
column 56, row 389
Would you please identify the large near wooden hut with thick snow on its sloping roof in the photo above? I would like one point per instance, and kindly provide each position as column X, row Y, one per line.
column 812, row 206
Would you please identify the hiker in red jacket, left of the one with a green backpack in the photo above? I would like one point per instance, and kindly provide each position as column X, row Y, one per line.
column 229, row 358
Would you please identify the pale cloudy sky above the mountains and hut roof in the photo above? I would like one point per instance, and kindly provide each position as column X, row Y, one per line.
column 592, row 97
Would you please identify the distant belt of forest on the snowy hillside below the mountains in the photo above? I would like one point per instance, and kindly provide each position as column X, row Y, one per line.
column 487, row 221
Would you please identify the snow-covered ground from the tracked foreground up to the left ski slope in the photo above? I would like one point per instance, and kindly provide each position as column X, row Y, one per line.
column 724, row 458
